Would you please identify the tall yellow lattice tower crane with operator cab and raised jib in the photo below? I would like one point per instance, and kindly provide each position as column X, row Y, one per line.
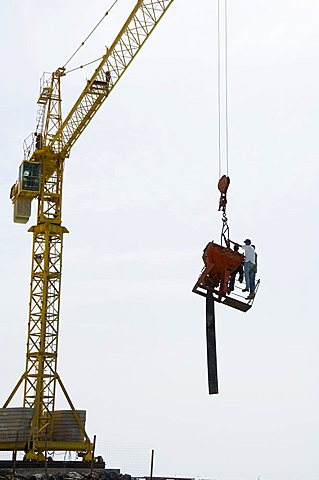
column 41, row 178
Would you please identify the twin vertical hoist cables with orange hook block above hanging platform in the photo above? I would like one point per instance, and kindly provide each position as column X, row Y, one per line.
column 223, row 130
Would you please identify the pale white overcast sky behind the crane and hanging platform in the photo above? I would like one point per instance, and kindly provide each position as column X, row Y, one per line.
column 141, row 201
